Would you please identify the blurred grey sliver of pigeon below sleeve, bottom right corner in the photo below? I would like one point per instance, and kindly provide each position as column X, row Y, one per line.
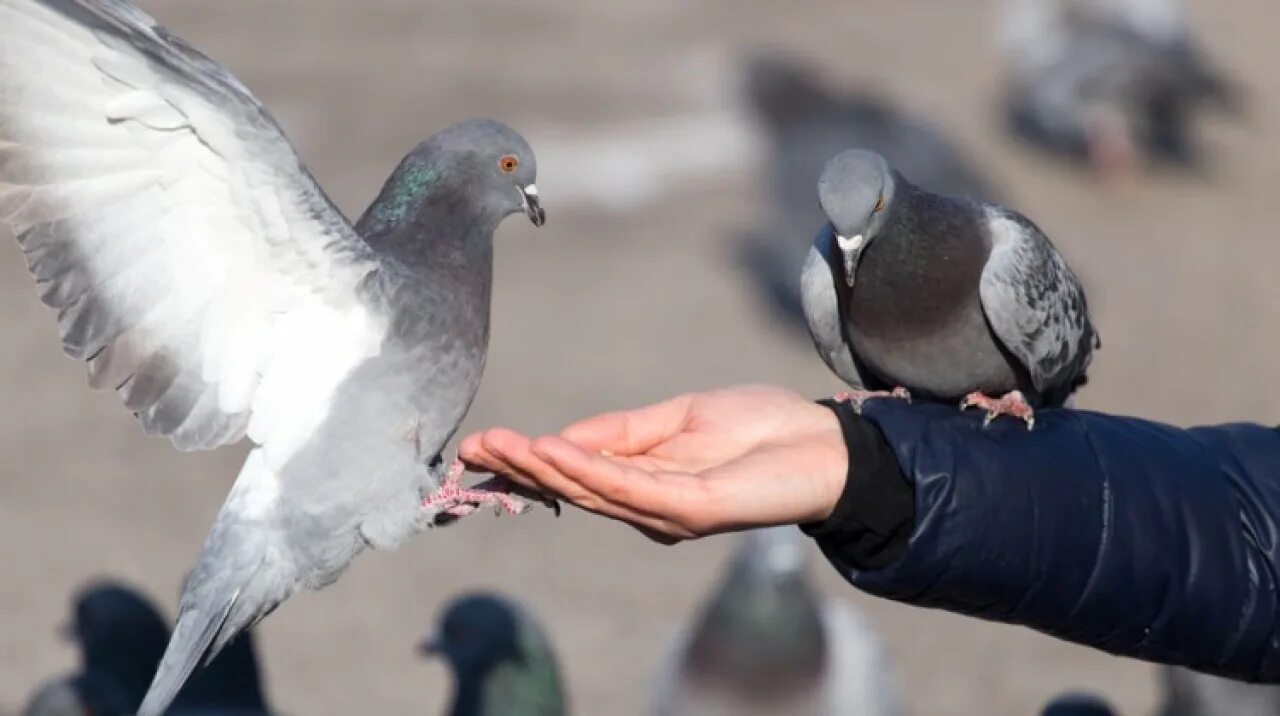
column 1190, row 694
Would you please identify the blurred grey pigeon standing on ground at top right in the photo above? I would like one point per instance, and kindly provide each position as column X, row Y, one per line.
column 1112, row 81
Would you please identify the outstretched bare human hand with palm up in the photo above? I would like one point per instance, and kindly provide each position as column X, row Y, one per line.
column 694, row 466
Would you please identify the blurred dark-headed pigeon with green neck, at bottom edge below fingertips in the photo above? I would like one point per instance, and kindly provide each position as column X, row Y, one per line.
column 502, row 662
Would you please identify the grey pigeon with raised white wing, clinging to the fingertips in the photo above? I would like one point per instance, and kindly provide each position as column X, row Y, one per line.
column 203, row 273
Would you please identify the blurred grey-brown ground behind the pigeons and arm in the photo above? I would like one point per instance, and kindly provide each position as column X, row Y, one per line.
column 607, row 308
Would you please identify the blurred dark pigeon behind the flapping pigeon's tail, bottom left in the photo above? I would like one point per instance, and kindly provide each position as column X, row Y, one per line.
column 122, row 637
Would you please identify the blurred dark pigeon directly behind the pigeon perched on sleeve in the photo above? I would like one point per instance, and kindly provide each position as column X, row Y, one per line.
column 806, row 124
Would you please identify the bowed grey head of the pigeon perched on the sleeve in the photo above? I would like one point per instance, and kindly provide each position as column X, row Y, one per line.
column 856, row 191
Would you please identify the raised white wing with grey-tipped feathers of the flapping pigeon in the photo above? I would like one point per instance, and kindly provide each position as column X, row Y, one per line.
column 193, row 259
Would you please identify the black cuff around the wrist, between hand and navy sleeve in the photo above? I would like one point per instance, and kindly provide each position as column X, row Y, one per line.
column 876, row 513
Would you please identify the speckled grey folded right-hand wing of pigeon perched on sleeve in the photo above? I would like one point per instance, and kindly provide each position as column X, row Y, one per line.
column 1036, row 305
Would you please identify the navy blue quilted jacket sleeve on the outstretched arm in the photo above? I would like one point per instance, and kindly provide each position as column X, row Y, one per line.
column 1133, row 537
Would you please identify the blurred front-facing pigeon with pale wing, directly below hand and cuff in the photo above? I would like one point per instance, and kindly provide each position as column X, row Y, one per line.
column 766, row 644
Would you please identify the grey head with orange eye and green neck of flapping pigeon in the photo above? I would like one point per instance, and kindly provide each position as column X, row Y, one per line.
column 482, row 170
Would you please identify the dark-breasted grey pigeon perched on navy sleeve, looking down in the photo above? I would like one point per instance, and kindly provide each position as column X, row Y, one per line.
column 944, row 298
